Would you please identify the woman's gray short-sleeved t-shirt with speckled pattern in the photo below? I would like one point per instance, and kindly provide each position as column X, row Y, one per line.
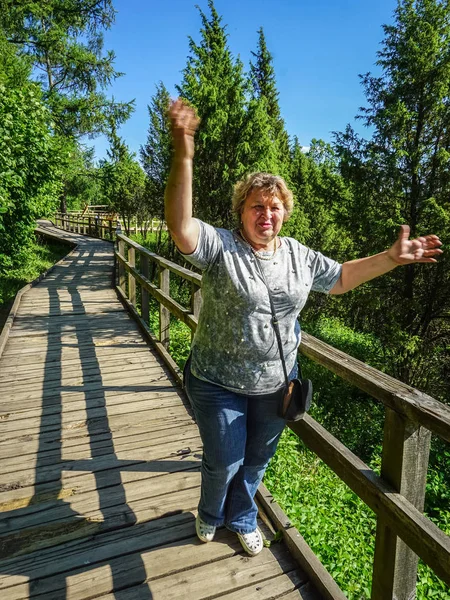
column 235, row 345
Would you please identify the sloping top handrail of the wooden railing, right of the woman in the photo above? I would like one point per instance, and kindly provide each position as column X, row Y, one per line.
column 413, row 404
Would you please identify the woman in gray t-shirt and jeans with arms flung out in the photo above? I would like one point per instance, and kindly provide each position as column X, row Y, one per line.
column 235, row 368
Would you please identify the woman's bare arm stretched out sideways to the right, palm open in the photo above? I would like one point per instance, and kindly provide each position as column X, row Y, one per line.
column 403, row 252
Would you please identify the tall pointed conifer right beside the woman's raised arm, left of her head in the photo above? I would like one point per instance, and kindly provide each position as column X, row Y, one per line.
column 214, row 83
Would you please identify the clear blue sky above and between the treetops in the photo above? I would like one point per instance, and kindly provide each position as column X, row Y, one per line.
column 319, row 48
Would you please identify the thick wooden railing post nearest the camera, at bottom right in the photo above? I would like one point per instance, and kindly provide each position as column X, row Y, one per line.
column 406, row 447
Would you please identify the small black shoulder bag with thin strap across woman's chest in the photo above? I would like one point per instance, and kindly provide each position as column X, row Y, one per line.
column 296, row 395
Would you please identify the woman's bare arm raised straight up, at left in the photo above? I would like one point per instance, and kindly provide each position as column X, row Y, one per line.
column 178, row 196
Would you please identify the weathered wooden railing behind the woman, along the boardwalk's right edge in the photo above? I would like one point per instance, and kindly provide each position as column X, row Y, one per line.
column 397, row 496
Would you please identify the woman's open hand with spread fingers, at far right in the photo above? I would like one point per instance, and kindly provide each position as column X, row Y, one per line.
column 423, row 249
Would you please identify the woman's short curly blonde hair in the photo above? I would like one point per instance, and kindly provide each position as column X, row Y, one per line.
column 271, row 184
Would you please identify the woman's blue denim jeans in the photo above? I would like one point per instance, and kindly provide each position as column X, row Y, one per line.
column 240, row 435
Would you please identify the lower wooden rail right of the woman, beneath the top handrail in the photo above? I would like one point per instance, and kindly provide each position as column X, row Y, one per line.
column 418, row 532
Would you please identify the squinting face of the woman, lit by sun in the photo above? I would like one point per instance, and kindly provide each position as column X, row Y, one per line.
column 262, row 217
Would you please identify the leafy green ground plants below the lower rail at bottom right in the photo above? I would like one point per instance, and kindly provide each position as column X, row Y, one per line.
column 336, row 524
